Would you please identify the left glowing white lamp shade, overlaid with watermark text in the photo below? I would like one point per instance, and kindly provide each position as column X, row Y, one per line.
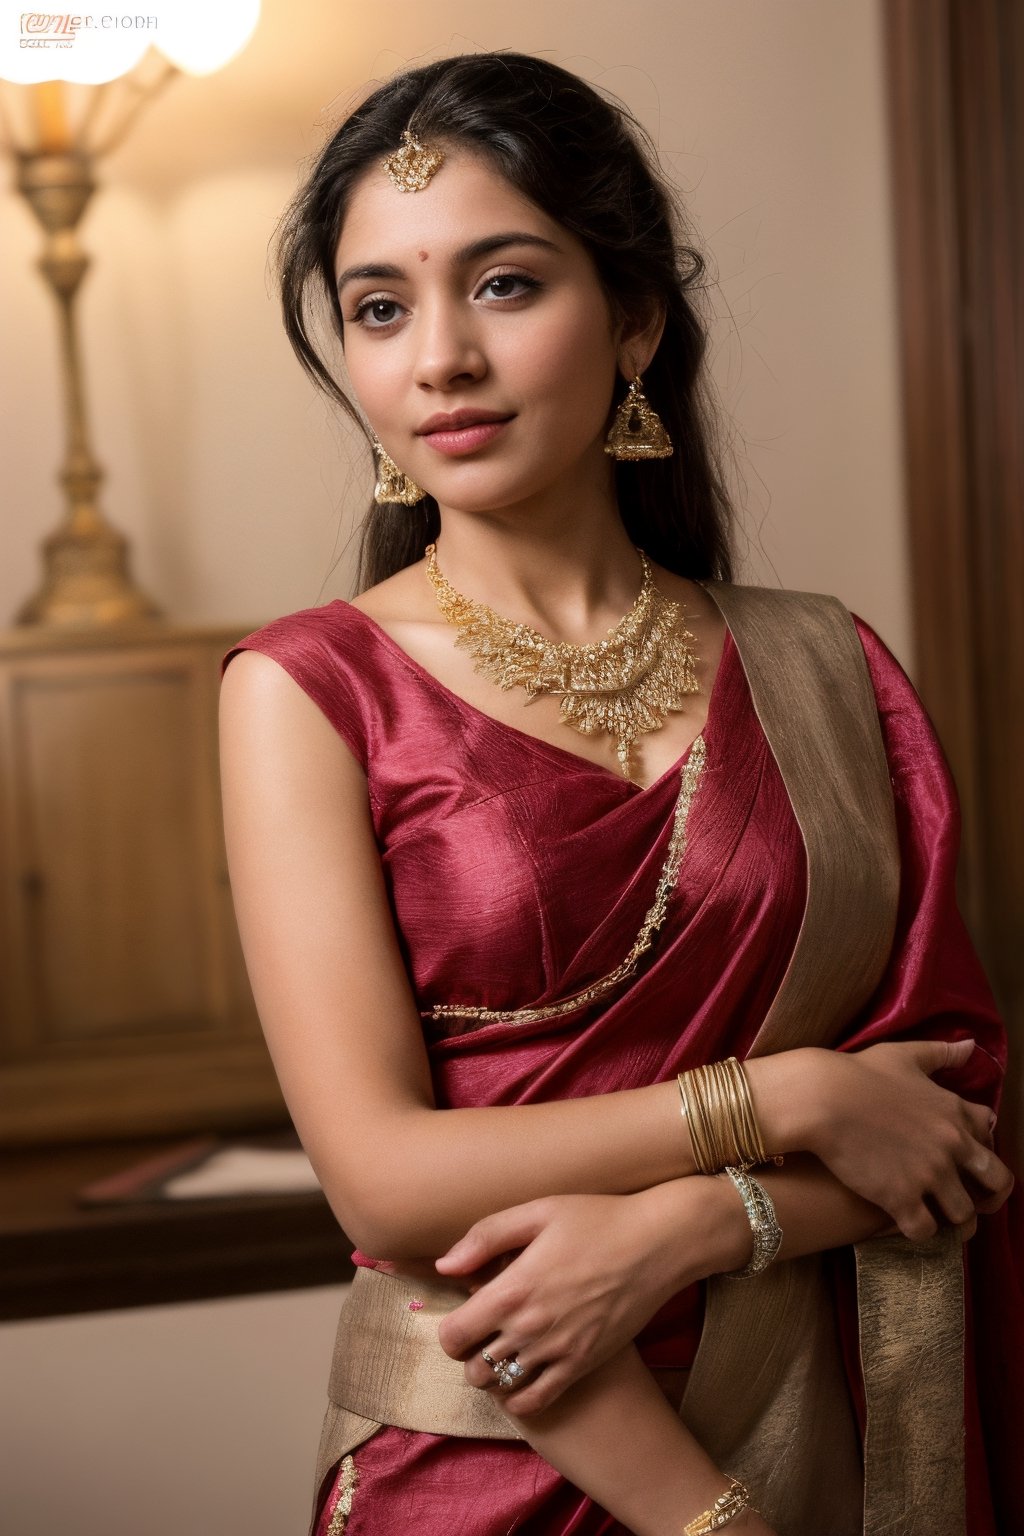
column 39, row 45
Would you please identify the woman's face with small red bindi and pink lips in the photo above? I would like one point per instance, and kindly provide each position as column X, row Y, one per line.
column 478, row 337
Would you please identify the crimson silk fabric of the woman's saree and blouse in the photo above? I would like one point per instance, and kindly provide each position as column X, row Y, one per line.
column 547, row 867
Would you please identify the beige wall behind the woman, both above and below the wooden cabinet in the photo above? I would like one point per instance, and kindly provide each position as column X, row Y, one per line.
column 233, row 482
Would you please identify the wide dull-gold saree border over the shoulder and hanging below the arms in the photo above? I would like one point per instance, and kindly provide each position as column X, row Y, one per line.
column 768, row 1392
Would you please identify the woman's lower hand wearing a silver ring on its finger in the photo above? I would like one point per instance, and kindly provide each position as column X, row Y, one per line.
column 589, row 1273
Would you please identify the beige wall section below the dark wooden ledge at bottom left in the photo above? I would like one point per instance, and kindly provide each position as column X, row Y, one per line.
column 167, row 1422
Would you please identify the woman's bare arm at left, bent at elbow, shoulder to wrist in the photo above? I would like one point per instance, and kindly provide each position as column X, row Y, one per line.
column 405, row 1179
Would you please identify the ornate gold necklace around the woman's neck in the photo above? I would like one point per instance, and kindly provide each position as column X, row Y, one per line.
column 624, row 684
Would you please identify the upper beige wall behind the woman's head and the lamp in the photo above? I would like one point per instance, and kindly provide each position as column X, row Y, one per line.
column 233, row 477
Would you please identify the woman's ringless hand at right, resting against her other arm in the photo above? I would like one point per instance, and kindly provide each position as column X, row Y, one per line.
column 902, row 1142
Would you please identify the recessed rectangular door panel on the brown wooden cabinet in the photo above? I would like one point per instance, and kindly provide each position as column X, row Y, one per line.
column 114, row 862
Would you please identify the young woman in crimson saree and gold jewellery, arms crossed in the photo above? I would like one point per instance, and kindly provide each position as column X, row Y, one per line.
column 552, row 815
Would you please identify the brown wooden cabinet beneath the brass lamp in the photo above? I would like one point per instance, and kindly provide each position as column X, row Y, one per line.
column 124, row 998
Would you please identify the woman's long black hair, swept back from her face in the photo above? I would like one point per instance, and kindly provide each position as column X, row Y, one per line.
column 589, row 165
